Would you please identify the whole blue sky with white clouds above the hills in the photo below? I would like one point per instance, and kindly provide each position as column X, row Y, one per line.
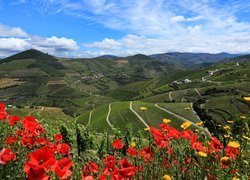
column 86, row 28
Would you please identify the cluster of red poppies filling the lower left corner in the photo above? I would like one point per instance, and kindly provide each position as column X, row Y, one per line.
column 43, row 160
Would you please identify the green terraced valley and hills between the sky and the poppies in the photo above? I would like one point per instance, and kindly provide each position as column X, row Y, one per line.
column 106, row 93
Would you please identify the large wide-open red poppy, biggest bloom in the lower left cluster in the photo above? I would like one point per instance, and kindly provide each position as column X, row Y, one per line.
column 43, row 158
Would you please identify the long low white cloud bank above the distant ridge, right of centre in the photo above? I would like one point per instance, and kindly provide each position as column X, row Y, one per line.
column 132, row 44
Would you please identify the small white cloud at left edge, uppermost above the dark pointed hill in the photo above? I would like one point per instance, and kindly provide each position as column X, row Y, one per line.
column 6, row 31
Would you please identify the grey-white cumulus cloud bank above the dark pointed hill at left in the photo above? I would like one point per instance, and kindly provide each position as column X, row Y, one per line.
column 54, row 45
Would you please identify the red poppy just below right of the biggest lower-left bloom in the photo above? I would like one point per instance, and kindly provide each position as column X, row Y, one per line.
column 62, row 168
